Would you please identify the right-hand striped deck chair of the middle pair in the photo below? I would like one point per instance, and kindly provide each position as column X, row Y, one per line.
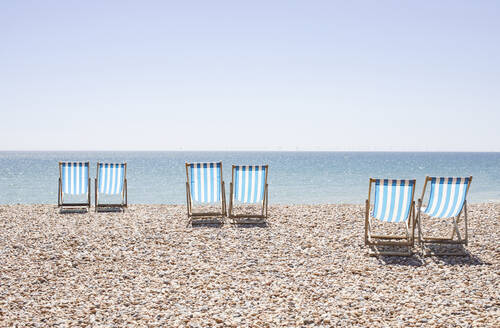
column 248, row 186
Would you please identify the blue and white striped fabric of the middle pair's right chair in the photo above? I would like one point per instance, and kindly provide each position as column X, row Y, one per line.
column 249, row 183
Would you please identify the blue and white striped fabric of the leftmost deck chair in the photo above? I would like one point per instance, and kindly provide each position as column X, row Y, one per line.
column 75, row 178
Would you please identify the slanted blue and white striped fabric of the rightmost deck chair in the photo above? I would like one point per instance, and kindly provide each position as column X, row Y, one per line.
column 447, row 197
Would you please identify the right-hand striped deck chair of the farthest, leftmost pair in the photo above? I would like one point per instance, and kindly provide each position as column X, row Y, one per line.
column 111, row 179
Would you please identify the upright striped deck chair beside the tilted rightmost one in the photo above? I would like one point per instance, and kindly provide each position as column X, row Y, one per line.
column 393, row 203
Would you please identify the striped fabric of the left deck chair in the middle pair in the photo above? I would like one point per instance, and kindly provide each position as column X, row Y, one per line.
column 205, row 182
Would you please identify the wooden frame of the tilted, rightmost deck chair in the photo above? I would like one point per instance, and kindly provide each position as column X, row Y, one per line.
column 455, row 229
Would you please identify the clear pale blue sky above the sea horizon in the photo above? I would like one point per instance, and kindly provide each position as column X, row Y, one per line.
column 250, row 75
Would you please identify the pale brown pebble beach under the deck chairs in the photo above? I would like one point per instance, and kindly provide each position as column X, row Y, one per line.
column 307, row 266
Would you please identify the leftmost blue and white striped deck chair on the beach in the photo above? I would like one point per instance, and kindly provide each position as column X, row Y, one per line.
column 73, row 180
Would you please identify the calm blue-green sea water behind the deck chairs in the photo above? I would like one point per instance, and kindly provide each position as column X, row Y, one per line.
column 294, row 177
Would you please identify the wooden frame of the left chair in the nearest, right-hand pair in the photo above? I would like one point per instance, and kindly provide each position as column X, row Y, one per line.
column 406, row 240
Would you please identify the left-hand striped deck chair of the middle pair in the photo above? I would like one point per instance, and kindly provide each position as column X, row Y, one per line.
column 204, row 185
